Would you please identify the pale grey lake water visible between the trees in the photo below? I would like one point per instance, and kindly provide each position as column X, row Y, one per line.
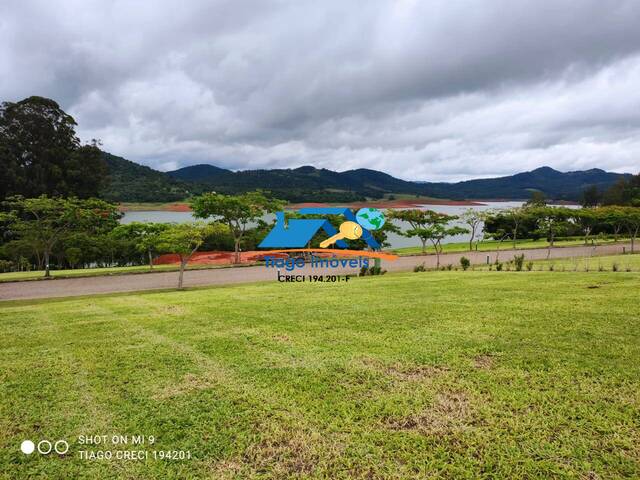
column 396, row 241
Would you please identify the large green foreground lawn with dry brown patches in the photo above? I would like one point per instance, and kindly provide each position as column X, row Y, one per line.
column 436, row 374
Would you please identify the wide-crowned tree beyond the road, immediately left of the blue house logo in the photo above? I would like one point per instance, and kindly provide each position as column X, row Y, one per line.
column 235, row 211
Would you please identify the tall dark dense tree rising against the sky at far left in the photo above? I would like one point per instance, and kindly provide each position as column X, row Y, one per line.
column 41, row 154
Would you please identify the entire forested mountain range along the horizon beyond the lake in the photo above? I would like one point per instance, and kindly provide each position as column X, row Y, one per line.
column 131, row 182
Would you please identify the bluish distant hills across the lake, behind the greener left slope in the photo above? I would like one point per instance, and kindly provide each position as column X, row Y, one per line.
column 309, row 183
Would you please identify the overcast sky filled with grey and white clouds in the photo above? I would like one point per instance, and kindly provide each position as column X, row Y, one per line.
column 424, row 90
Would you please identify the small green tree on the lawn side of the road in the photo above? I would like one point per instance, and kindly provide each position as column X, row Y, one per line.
column 184, row 239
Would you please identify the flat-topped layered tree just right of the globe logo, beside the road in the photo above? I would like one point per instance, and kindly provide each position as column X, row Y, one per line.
column 428, row 225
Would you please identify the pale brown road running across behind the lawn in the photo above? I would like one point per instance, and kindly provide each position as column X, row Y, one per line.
column 69, row 287
